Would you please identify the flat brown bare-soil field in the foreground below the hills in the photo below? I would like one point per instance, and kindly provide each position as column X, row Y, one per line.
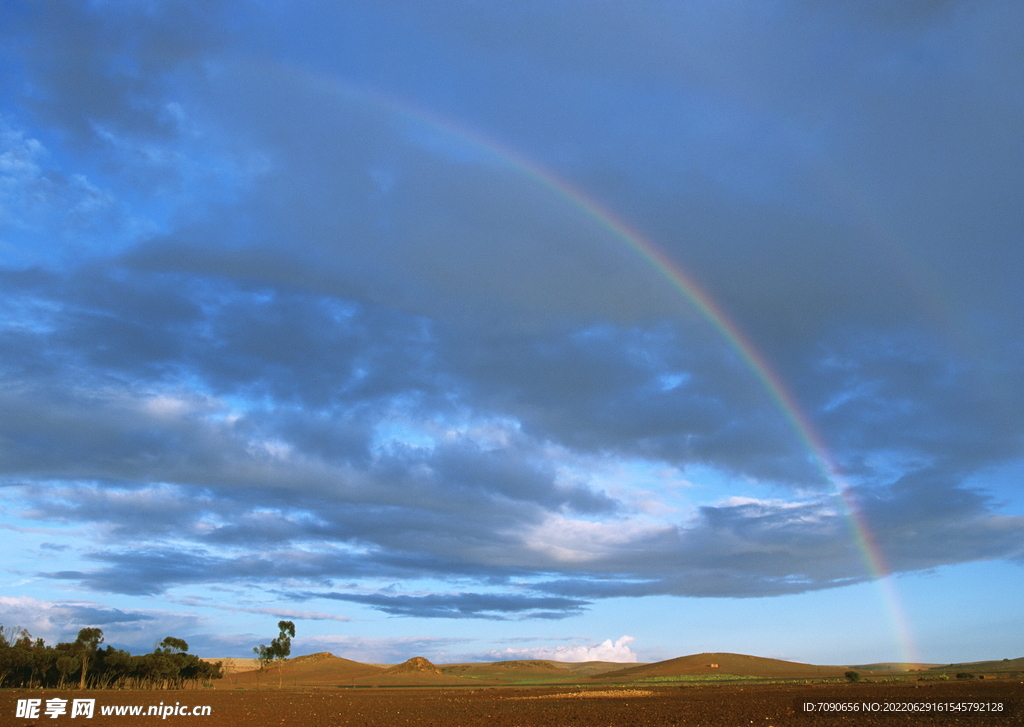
column 705, row 706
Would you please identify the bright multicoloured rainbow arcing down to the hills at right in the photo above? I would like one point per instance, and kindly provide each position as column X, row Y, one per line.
column 693, row 292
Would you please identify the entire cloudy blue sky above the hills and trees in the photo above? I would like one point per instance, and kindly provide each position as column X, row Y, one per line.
column 298, row 324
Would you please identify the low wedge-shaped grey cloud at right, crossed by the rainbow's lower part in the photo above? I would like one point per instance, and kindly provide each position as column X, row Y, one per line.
column 757, row 549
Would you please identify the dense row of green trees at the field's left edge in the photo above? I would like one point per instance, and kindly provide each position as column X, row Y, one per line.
column 29, row 663
